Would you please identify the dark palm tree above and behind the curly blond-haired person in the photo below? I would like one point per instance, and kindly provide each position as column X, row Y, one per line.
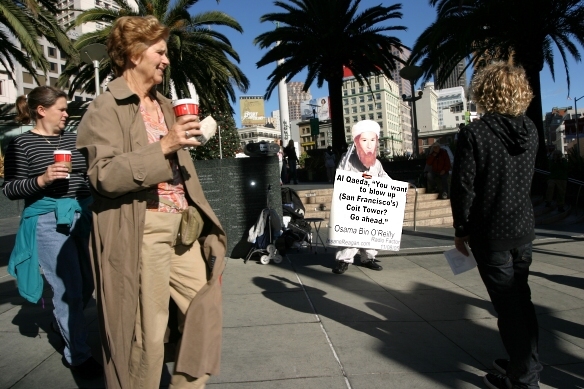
column 521, row 31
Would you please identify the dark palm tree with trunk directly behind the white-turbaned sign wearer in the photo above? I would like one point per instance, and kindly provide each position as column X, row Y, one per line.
column 323, row 36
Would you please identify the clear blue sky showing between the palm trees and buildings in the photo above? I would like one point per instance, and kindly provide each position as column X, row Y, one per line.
column 417, row 15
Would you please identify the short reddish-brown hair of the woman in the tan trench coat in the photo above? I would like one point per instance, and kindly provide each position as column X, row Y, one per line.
column 131, row 36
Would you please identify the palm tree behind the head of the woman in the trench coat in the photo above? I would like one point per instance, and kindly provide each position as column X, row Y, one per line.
column 198, row 54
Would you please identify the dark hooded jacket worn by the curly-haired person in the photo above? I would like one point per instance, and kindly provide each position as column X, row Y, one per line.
column 491, row 182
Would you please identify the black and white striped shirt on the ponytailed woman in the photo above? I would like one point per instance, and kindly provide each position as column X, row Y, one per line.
column 29, row 155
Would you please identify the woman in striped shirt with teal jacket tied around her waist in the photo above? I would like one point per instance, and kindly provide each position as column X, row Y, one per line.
column 55, row 223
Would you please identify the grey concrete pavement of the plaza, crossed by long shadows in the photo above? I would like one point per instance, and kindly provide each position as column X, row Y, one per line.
column 297, row 325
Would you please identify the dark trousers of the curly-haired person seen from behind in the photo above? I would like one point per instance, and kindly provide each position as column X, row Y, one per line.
column 505, row 276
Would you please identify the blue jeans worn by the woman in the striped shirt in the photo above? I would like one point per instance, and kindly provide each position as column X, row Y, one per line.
column 70, row 279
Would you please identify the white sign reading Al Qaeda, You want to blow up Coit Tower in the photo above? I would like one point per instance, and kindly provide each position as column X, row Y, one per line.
column 367, row 212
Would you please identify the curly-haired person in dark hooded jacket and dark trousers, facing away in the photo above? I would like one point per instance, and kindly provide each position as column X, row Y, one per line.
column 492, row 212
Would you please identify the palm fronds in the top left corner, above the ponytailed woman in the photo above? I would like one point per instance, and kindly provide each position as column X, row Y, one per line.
column 27, row 21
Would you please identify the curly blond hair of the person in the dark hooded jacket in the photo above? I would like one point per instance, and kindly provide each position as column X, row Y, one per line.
column 502, row 88
